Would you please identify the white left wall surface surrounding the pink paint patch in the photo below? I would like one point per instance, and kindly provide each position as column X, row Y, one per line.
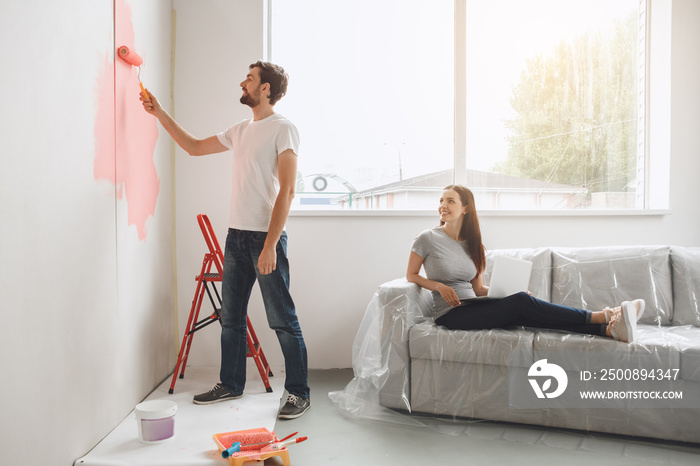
column 87, row 306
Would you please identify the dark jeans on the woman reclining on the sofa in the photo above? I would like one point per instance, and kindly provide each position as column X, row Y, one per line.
column 516, row 310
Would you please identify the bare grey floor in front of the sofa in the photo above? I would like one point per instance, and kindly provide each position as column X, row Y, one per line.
column 338, row 438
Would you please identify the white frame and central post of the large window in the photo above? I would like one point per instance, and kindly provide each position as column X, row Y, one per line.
column 656, row 170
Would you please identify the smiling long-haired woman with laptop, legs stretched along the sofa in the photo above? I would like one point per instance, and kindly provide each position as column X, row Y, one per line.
column 454, row 260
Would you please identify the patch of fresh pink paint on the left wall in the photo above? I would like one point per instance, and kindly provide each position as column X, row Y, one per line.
column 125, row 135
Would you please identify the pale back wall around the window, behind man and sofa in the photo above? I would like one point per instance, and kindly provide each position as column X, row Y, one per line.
column 338, row 261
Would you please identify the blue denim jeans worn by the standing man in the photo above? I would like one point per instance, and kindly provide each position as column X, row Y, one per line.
column 240, row 272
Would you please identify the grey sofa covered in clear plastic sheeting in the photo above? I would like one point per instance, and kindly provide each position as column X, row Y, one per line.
column 404, row 362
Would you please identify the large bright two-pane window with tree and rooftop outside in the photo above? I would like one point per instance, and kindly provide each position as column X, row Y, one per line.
column 534, row 104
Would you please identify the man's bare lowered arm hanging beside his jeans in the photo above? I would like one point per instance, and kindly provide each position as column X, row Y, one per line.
column 287, row 174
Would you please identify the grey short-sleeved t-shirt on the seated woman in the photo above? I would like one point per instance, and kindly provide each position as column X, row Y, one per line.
column 445, row 260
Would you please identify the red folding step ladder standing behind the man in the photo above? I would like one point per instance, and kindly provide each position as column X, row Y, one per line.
column 207, row 277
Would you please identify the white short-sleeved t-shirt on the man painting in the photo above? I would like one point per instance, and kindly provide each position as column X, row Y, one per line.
column 255, row 146
